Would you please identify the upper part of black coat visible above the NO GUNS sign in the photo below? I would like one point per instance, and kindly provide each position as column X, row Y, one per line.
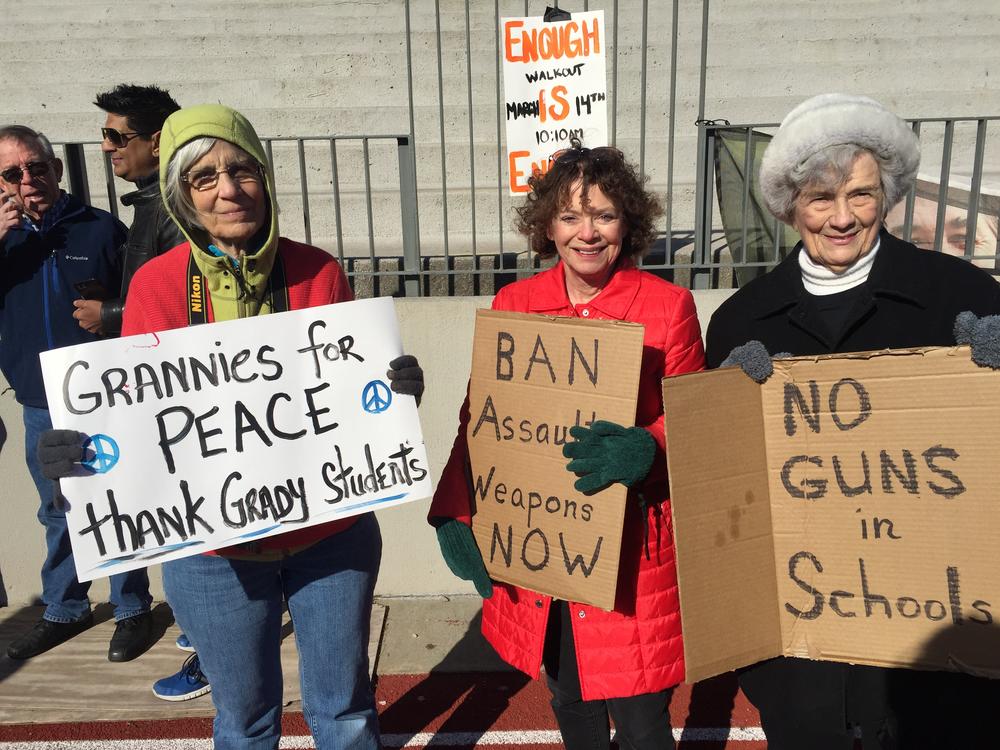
column 911, row 299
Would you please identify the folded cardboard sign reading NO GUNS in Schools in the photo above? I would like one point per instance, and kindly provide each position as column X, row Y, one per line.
column 846, row 510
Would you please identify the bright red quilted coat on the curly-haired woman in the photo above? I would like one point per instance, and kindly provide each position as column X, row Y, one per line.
column 636, row 648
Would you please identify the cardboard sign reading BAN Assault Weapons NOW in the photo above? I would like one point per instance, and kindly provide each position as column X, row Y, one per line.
column 533, row 378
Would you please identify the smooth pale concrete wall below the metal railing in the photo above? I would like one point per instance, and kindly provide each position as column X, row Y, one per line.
column 438, row 331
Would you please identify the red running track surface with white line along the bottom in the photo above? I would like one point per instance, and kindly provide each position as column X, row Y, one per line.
column 443, row 709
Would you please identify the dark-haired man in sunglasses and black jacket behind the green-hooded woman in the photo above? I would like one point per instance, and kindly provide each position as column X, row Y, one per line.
column 131, row 137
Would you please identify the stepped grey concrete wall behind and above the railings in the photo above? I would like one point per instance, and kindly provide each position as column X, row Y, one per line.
column 301, row 67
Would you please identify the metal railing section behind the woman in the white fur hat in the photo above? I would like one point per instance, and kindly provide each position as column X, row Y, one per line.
column 954, row 150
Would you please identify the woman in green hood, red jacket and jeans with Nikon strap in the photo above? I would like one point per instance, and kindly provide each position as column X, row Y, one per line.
column 217, row 185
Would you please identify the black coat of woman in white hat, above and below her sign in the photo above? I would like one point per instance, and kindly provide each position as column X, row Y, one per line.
column 911, row 298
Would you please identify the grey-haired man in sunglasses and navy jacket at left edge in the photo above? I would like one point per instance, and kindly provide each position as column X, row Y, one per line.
column 53, row 250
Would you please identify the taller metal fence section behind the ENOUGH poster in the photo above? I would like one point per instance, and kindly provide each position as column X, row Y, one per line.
column 473, row 210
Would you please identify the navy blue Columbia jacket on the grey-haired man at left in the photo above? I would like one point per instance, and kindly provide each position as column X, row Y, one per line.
column 37, row 273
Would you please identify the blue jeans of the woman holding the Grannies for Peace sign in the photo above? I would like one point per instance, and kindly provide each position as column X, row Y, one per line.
column 231, row 611
